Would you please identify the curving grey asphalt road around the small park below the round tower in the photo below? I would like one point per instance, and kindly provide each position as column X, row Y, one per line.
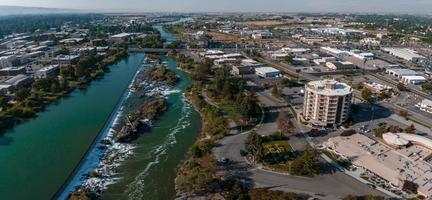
column 326, row 186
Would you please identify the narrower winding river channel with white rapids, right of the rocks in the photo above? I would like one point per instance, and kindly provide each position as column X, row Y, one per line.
column 150, row 173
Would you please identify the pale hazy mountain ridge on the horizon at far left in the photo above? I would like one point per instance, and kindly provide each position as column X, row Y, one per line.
column 22, row 10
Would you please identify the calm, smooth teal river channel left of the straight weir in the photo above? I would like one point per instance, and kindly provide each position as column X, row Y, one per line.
column 37, row 156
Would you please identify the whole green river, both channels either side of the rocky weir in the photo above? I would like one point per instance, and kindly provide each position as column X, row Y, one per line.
column 38, row 156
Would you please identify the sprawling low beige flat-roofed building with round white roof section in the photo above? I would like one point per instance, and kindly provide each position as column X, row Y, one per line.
column 395, row 161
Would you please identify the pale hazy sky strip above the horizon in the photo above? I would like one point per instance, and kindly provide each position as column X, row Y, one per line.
column 369, row 6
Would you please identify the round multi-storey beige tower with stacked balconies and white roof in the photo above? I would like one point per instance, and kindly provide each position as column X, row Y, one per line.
column 327, row 102
